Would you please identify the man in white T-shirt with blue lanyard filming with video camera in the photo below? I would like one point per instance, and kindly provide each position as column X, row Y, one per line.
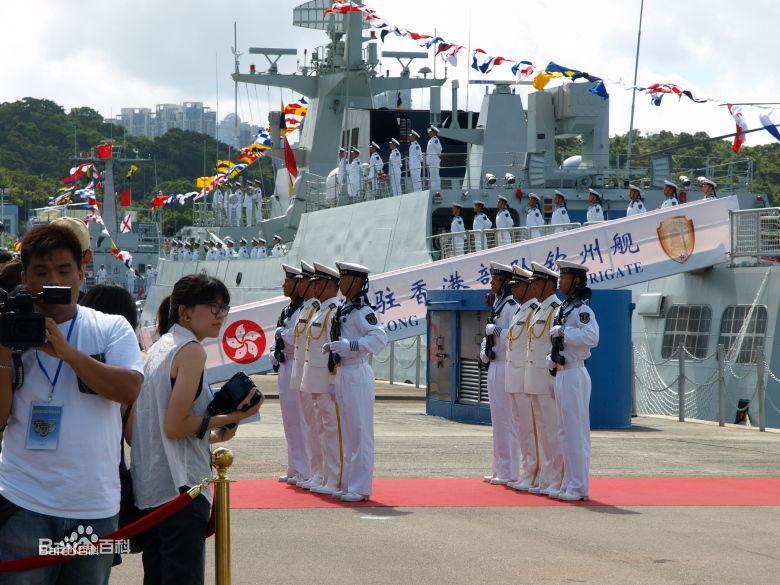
column 58, row 466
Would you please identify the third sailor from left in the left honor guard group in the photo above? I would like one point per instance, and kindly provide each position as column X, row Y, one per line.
column 319, row 381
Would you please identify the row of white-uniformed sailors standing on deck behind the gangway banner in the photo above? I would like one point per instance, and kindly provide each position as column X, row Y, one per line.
column 559, row 217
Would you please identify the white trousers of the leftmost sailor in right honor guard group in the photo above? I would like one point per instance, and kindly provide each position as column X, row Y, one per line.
column 506, row 457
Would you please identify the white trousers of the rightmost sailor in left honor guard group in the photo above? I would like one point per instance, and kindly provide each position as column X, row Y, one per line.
column 355, row 397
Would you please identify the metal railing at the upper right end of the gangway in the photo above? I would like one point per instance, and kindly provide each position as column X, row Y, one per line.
column 755, row 232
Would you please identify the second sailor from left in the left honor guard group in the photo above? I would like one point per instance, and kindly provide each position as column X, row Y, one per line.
column 307, row 310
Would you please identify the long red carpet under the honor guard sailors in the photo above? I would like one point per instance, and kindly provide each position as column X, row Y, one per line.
column 472, row 492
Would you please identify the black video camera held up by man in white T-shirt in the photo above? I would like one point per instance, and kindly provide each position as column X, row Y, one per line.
column 21, row 327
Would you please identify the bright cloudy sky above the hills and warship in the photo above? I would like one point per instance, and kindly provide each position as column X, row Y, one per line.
column 113, row 54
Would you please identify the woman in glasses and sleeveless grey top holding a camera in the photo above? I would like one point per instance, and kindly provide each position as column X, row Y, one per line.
column 172, row 427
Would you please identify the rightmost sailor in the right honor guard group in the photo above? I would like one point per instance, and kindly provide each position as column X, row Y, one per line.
column 575, row 325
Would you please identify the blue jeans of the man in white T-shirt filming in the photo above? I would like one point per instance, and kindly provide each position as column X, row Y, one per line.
column 19, row 539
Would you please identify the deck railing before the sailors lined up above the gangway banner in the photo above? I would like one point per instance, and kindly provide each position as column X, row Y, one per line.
column 447, row 244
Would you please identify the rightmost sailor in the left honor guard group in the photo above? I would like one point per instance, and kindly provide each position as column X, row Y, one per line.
column 356, row 334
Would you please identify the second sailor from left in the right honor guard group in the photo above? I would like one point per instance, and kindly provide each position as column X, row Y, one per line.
column 516, row 361
